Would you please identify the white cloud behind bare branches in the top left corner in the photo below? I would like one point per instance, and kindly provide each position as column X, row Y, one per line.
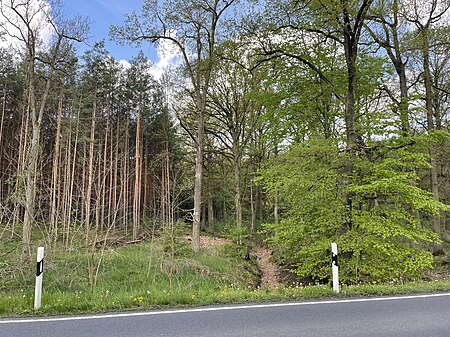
column 37, row 13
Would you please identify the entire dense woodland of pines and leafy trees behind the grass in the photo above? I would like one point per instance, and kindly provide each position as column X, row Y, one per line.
column 300, row 123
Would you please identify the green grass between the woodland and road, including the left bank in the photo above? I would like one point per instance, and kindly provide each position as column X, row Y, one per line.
column 150, row 275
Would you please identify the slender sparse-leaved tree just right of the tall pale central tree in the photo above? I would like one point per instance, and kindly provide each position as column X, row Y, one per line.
column 233, row 114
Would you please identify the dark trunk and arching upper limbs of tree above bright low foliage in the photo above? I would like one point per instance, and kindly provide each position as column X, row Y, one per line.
column 340, row 22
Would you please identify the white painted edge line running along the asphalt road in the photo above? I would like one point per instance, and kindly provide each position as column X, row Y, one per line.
column 206, row 309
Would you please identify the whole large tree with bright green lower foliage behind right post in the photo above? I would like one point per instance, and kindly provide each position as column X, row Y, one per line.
column 354, row 198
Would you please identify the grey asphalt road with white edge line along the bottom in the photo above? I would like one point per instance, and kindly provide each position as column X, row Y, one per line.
column 411, row 316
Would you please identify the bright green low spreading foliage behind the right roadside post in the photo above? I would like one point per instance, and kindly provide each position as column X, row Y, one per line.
column 381, row 231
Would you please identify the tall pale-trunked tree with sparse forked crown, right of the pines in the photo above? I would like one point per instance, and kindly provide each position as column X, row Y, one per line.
column 192, row 26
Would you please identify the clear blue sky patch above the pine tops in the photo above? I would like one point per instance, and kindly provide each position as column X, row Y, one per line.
column 102, row 14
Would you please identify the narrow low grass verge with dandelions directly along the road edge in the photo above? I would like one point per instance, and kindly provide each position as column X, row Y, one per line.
column 101, row 301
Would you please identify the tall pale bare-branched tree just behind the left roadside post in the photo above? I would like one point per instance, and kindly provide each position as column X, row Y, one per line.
column 26, row 20
